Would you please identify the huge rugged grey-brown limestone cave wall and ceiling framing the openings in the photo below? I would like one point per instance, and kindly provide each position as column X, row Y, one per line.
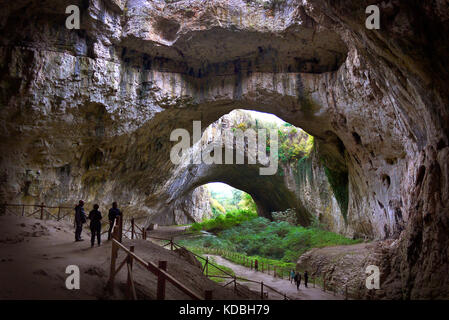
column 88, row 113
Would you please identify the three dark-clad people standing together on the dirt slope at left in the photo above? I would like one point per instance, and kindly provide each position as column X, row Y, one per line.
column 95, row 218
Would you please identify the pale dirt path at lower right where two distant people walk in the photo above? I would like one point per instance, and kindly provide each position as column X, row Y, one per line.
column 281, row 285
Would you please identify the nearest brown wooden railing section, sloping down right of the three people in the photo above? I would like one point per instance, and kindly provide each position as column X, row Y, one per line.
column 158, row 270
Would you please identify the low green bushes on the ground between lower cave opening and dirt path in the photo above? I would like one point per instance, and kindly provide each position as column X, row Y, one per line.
column 270, row 240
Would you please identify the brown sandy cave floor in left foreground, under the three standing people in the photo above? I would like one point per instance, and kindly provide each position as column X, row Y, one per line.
column 34, row 255
